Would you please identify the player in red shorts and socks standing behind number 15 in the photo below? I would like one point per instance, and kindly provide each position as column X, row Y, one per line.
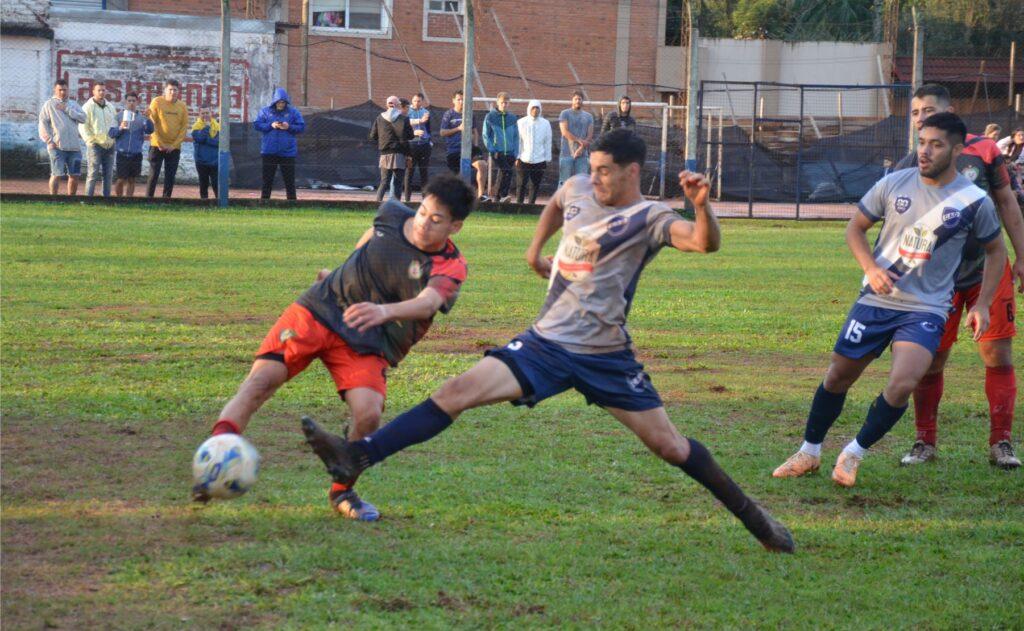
column 983, row 163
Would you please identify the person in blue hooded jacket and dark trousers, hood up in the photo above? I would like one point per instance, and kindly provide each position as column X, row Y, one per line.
column 280, row 123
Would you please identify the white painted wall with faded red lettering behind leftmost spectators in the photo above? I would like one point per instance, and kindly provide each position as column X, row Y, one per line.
column 134, row 52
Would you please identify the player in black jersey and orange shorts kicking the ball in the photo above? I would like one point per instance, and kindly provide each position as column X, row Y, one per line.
column 364, row 317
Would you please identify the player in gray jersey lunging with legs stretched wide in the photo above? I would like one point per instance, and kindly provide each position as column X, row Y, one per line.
column 580, row 341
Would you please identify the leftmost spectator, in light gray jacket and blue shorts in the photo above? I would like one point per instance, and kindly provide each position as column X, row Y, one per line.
column 59, row 120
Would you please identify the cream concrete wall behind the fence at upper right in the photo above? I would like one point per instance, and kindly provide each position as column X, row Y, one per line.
column 803, row 63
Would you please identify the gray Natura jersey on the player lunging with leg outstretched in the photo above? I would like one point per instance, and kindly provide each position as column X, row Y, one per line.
column 598, row 267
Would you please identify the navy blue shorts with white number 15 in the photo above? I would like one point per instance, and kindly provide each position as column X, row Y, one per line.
column 871, row 329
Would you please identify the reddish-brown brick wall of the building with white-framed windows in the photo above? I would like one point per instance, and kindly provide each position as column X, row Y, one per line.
column 547, row 36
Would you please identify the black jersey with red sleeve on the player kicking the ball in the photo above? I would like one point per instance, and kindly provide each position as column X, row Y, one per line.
column 388, row 269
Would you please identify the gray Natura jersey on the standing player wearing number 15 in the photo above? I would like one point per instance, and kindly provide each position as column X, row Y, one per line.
column 922, row 241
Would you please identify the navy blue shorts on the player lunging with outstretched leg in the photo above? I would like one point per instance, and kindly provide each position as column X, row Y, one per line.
column 545, row 369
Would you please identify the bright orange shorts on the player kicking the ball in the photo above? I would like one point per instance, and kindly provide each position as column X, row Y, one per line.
column 297, row 339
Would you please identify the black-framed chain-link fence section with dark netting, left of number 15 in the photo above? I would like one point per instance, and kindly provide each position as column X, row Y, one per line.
column 802, row 151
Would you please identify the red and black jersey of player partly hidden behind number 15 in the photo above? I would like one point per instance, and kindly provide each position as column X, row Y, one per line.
column 984, row 164
